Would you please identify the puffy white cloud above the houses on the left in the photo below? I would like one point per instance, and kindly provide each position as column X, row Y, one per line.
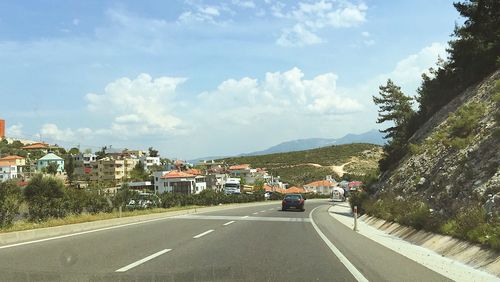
column 138, row 106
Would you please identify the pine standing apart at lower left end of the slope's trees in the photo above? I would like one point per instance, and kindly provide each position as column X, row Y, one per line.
column 396, row 108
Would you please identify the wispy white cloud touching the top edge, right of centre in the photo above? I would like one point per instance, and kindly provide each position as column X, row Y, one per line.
column 310, row 18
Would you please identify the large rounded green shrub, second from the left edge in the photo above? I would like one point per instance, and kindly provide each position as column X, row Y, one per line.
column 45, row 198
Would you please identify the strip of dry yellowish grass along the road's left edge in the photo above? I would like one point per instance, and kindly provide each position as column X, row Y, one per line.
column 81, row 218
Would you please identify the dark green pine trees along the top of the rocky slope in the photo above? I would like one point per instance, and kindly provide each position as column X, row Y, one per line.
column 473, row 53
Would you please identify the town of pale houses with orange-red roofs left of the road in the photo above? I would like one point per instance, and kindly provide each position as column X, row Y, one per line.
column 144, row 171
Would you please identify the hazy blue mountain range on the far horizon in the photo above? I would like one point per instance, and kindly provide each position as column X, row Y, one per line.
column 373, row 137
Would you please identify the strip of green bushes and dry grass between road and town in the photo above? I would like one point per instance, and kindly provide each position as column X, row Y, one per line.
column 47, row 202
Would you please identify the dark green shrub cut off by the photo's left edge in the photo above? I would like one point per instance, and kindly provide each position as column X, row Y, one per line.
column 10, row 200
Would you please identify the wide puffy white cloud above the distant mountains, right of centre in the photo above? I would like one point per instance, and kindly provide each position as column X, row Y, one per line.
column 284, row 93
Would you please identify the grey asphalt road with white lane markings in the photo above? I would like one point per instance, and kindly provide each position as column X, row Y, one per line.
column 259, row 243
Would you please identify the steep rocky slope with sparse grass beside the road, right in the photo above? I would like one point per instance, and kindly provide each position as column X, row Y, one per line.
column 452, row 172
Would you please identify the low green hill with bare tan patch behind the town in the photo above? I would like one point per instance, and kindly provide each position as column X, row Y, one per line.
column 301, row 167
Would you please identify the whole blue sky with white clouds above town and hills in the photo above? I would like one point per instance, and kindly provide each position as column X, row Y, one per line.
column 209, row 78
